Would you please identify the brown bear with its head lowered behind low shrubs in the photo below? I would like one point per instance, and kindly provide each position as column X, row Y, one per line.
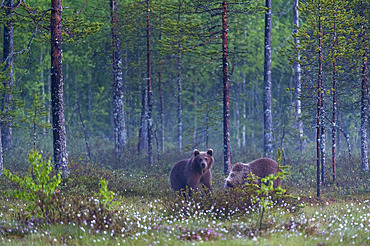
column 262, row 167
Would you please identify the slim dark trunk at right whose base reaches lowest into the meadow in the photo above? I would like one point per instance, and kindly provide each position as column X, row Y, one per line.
column 318, row 125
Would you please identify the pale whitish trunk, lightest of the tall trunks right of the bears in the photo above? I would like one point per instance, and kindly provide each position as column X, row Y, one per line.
column 297, row 80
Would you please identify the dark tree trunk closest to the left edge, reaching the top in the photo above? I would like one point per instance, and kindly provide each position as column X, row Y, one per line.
column 8, row 59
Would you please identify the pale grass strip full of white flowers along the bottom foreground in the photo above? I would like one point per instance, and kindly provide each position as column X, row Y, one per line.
column 337, row 222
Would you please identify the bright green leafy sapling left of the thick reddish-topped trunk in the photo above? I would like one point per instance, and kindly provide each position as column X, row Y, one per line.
column 37, row 187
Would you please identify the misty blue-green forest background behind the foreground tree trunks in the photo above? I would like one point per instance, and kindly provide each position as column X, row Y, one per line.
column 186, row 53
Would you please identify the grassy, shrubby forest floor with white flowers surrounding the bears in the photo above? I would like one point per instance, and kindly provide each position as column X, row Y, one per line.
column 144, row 211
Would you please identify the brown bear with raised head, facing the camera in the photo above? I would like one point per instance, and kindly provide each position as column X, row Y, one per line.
column 190, row 172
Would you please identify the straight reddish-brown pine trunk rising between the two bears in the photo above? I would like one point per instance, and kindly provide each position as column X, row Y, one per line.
column 225, row 78
